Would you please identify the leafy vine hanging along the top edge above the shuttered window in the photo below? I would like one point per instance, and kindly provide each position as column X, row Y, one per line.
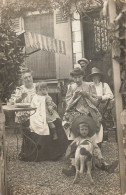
column 16, row 8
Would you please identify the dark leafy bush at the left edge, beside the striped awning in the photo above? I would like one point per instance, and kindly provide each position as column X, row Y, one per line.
column 11, row 59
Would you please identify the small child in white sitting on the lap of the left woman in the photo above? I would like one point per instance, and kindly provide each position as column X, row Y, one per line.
column 45, row 111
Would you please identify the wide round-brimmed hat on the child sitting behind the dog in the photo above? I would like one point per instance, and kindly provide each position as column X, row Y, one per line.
column 88, row 121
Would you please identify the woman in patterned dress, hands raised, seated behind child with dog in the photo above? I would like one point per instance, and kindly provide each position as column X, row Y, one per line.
column 79, row 102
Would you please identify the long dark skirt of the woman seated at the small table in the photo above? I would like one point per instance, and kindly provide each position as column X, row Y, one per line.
column 42, row 147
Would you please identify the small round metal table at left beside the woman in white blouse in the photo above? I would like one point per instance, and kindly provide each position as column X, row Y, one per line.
column 14, row 108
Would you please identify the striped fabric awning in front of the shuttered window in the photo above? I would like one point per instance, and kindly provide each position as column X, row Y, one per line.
column 35, row 42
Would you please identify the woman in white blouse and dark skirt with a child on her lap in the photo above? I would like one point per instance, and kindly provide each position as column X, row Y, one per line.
column 38, row 146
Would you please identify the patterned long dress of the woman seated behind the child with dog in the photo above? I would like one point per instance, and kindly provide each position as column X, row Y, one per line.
column 80, row 106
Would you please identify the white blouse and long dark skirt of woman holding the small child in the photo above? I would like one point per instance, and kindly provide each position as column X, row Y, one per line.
column 37, row 147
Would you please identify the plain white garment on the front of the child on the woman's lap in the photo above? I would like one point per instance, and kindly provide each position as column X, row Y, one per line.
column 38, row 123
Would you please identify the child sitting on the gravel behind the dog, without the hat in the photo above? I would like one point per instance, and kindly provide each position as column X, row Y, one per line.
column 84, row 130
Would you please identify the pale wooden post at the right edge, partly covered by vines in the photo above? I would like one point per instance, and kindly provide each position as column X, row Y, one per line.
column 118, row 101
